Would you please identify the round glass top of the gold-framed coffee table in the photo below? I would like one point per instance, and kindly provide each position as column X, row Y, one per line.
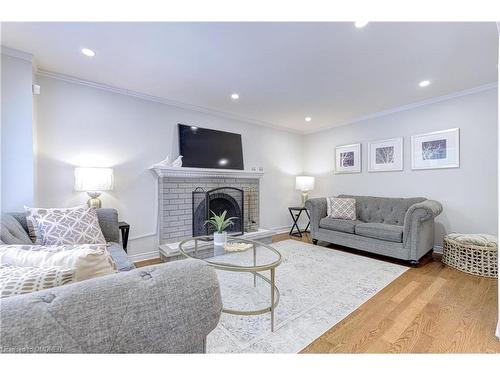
column 238, row 254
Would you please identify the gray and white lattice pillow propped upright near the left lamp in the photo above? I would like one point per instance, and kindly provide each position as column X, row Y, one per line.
column 71, row 226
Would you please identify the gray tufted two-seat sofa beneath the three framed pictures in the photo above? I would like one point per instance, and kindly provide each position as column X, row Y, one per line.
column 401, row 228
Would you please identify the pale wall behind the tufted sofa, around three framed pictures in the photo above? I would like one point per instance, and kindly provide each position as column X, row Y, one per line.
column 468, row 193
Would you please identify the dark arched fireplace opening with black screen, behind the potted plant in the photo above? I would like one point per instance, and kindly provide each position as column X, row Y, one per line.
column 216, row 201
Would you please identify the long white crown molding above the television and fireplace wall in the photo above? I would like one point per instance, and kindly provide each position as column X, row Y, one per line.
column 157, row 99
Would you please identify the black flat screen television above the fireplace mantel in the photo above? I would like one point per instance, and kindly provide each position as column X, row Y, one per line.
column 207, row 148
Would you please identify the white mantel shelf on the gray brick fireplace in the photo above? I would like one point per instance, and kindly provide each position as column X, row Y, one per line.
column 204, row 172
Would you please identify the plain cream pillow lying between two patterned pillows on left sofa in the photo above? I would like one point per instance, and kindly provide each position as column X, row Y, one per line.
column 89, row 261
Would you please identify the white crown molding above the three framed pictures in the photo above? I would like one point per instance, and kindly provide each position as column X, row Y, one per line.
column 406, row 107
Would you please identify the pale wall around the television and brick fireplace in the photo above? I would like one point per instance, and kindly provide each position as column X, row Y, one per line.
column 80, row 125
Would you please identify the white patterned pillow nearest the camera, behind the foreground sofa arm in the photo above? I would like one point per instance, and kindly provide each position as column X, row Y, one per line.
column 20, row 280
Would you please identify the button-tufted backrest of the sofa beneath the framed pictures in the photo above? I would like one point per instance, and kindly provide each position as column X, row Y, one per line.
column 382, row 210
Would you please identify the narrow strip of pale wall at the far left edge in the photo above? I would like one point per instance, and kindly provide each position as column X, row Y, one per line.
column 17, row 154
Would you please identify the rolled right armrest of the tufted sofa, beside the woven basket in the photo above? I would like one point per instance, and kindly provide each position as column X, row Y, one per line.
column 415, row 233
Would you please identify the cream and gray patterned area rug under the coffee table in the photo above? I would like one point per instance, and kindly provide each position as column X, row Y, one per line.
column 319, row 287
